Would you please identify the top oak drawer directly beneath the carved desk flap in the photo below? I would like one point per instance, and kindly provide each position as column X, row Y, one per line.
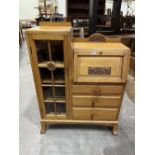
column 96, row 89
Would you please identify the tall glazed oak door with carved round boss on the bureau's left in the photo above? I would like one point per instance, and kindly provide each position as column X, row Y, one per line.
column 50, row 65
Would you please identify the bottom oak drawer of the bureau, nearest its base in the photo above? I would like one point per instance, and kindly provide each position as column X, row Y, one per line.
column 95, row 114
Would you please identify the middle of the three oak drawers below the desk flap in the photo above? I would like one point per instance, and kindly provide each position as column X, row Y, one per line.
column 96, row 101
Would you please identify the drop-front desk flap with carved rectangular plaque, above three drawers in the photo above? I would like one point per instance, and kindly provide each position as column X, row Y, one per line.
column 100, row 66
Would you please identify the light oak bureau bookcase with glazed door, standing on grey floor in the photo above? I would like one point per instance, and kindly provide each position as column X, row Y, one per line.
column 77, row 82
